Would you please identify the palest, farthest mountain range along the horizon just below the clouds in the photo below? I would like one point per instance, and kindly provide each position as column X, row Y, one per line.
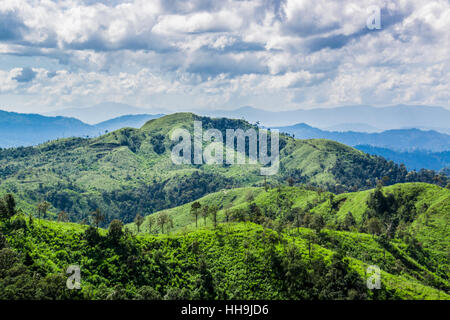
column 347, row 118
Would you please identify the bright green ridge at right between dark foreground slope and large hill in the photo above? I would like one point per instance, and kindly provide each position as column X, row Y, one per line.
column 413, row 240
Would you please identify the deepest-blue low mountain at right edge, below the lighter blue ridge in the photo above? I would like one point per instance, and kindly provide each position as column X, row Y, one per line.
column 414, row 160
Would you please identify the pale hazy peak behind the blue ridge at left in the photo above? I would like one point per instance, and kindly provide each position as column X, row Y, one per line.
column 100, row 112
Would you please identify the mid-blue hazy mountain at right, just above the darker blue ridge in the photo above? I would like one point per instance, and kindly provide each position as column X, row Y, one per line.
column 397, row 140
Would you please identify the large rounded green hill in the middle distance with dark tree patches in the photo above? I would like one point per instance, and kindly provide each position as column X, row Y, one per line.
column 130, row 171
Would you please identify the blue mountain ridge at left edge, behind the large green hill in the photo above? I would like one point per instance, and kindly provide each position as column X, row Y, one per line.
column 18, row 129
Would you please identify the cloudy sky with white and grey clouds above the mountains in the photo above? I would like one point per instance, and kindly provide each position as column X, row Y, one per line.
column 179, row 55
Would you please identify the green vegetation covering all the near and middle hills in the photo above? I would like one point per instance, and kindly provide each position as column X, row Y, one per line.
column 148, row 229
